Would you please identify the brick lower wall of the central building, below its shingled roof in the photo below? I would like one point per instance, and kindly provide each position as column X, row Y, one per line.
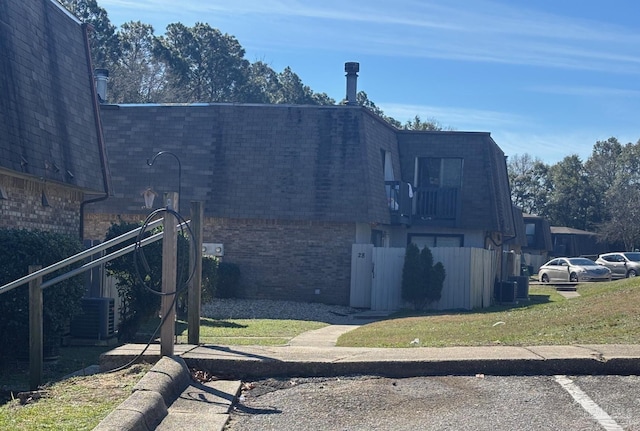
column 278, row 259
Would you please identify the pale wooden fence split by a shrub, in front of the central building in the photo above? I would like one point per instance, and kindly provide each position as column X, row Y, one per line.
column 376, row 277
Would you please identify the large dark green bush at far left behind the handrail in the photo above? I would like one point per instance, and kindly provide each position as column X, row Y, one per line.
column 20, row 249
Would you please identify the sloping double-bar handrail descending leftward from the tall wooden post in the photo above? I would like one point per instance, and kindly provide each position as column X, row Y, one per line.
column 86, row 253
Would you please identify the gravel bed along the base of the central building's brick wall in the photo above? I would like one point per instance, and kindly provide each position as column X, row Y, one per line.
column 268, row 309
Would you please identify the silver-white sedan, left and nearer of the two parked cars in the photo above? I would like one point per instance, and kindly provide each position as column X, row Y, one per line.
column 573, row 270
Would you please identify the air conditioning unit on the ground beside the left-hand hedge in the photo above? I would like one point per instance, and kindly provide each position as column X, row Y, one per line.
column 97, row 320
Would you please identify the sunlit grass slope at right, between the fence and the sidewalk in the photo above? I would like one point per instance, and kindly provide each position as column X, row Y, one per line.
column 604, row 313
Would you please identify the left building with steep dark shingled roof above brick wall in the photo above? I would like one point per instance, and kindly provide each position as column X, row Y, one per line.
column 52, row 161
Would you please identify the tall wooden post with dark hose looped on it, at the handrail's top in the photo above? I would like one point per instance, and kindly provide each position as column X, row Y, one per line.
column 169, row 262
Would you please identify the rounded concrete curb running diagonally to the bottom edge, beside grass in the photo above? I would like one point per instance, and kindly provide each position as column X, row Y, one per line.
column 148, row 405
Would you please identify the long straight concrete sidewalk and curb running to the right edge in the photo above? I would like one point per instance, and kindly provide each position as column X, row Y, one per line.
column 271, row 361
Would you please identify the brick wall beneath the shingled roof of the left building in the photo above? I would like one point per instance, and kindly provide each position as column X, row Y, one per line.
column 23, row 209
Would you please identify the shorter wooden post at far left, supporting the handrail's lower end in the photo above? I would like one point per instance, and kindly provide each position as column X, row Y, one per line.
column 35, row 330
